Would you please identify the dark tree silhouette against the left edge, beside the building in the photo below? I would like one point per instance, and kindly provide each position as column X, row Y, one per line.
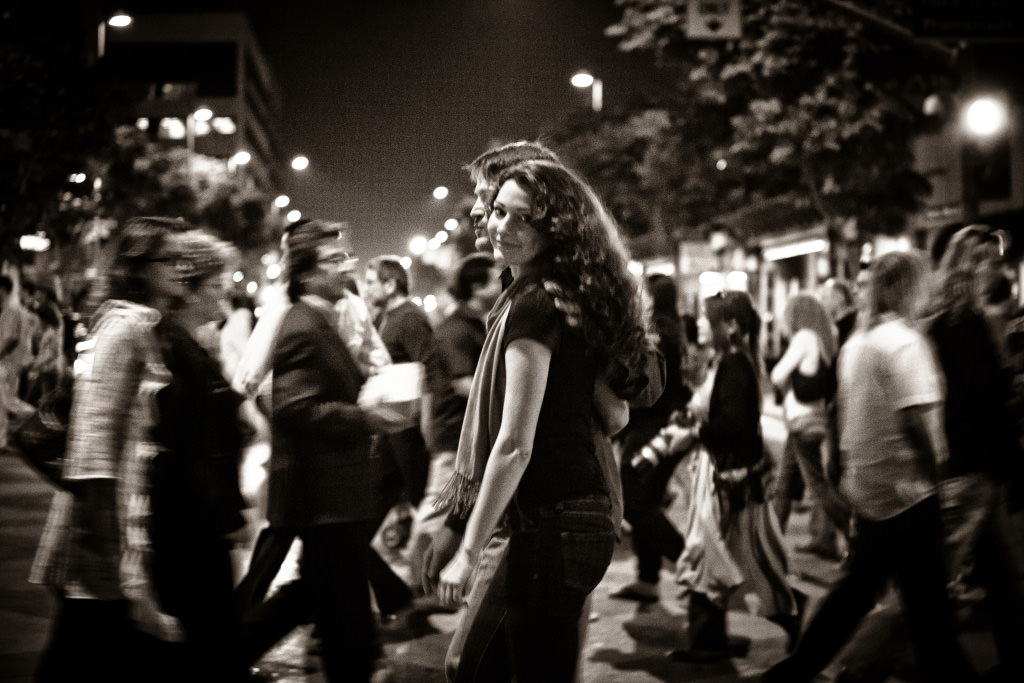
column 57, row 113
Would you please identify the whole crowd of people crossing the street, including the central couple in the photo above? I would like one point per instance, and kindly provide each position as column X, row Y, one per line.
column 561, row 396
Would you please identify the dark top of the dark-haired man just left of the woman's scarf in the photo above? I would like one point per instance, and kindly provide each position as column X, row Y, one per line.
column 458, row 343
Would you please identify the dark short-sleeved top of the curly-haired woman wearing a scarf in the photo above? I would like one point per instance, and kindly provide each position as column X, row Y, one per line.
column 564, row 465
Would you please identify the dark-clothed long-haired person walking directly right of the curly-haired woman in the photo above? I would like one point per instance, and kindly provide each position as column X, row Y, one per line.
column 646, row 484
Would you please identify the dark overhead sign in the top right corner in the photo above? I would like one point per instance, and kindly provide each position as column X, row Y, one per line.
column 969, row 19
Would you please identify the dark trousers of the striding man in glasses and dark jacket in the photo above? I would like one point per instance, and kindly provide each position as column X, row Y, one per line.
column 333, row 592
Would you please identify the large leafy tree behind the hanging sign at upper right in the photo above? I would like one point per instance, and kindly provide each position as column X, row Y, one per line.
column 820, row 109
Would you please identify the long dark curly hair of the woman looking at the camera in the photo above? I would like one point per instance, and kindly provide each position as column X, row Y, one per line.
column 587, row 260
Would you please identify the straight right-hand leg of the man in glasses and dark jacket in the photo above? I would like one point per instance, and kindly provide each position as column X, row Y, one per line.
column 334, row 564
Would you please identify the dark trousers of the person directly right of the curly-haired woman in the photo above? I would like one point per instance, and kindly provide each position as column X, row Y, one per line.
column 654, row 536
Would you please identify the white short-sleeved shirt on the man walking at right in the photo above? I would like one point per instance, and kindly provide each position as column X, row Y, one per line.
column 882, row 371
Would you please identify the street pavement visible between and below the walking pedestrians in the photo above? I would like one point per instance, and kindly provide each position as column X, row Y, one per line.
column 626, row 642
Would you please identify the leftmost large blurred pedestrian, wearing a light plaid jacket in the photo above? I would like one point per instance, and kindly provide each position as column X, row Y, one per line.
column 95, row 550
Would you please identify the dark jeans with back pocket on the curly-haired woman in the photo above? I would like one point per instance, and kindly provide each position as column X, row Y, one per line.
column 558, row 557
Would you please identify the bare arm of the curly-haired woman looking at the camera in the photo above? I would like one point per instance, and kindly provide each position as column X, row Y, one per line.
column 527, row 366
